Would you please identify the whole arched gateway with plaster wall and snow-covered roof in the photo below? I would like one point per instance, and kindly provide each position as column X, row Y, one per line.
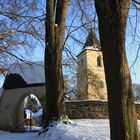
column 15, row 89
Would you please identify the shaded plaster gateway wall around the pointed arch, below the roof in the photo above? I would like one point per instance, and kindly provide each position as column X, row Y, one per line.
column 10, row 106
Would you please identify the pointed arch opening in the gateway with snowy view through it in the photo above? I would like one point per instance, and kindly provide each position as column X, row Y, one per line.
column 32, row 113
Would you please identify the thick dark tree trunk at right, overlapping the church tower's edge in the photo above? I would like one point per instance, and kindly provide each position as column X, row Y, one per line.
column 112, row 17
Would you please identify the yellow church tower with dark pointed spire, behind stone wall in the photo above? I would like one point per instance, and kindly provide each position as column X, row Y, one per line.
column 91, row 81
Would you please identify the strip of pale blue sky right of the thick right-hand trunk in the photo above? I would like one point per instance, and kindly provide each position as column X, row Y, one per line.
column 132, row 43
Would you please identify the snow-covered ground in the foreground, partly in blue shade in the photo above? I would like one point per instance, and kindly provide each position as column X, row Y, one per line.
column 86, row 129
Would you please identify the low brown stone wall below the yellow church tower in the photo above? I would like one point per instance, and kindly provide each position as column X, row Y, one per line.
column 90, row 110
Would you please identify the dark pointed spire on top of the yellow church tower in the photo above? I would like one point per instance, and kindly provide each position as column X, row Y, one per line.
column 92, row 40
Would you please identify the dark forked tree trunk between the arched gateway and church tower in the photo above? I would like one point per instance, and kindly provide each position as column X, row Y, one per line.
column 55, row 28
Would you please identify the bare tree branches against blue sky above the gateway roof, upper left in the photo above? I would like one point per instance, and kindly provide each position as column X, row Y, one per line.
column 21, row 30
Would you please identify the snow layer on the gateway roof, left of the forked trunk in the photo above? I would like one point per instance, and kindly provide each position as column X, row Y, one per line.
column 32, row 73
